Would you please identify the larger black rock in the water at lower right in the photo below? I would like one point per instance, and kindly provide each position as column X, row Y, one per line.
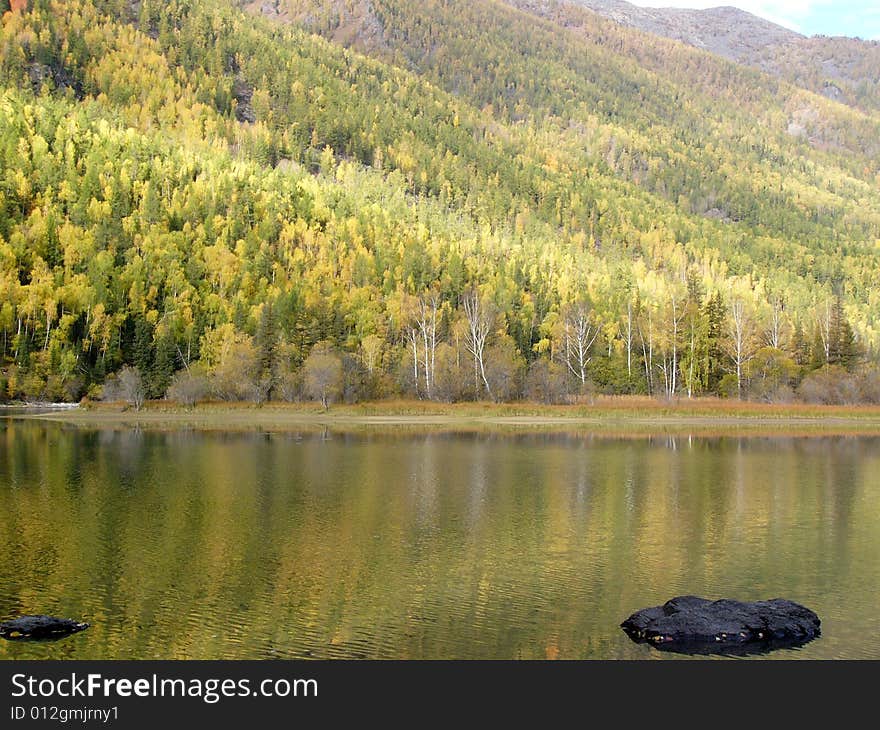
column 692, row 625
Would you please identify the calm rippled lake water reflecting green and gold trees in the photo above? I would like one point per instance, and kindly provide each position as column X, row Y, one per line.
column 203, row 545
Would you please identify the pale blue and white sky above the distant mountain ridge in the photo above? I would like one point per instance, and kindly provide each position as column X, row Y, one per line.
column 858, row 18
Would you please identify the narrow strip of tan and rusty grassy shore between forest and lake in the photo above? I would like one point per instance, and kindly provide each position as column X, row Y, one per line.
column 616, row 415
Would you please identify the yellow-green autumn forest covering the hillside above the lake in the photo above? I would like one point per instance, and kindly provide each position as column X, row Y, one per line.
column 445, row 200
